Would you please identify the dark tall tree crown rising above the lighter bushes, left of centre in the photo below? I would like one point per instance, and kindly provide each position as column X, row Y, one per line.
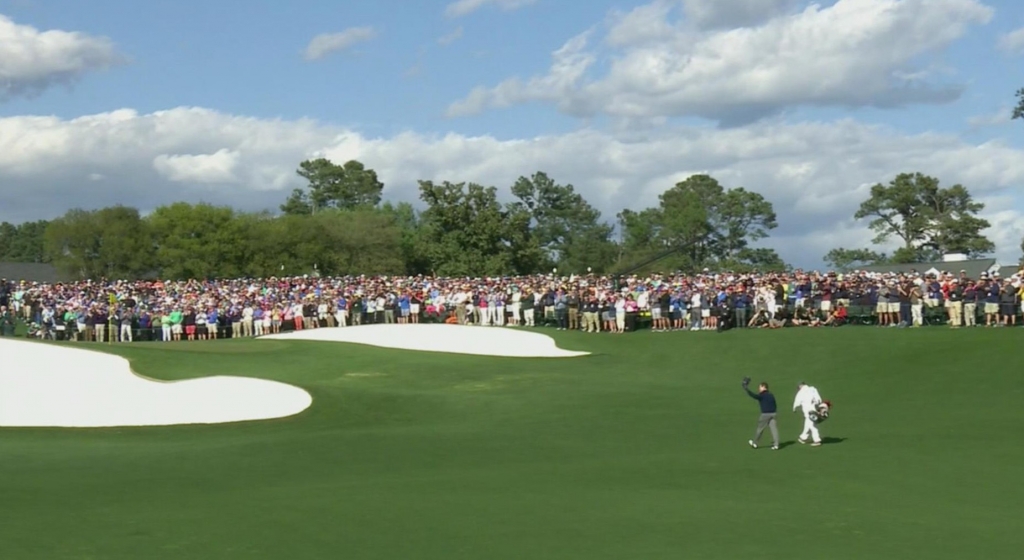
column 330, row 186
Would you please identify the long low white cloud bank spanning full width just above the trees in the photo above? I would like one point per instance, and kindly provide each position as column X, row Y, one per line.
column 815, row 174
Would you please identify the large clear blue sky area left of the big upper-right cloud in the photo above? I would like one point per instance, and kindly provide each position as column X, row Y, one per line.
column 246, row 58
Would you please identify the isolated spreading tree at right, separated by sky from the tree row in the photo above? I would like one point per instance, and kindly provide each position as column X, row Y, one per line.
column 928, row 220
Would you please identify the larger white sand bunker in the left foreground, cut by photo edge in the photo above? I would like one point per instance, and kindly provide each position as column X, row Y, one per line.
column 42, row 385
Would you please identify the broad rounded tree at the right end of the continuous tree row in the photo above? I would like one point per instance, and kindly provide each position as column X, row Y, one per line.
column 707, row 224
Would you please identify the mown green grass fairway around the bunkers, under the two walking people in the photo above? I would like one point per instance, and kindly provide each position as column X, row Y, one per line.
column 636, row 453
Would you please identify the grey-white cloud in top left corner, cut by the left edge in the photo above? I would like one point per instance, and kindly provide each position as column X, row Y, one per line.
column 33, row 61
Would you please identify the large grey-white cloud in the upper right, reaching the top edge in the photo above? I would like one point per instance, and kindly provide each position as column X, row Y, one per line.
column 854, row 54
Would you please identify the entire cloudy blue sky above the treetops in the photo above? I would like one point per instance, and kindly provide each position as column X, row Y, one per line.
column 809, row 104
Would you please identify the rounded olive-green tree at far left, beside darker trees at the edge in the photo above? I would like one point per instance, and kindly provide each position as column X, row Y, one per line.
column 113, row 243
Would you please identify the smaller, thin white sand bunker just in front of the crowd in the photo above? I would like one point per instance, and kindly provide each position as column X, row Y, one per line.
column 485, row 341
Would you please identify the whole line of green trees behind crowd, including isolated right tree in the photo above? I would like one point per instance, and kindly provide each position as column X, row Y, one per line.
column 340, row 225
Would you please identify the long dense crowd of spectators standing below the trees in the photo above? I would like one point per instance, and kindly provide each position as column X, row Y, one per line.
column 124, row 312
